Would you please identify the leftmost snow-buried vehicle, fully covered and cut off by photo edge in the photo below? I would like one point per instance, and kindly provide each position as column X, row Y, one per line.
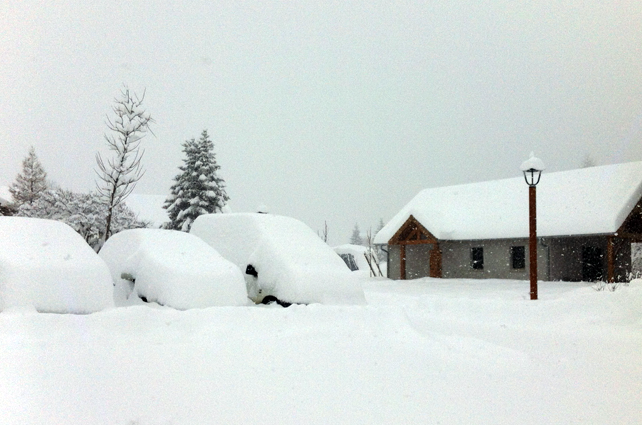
column 45, row 264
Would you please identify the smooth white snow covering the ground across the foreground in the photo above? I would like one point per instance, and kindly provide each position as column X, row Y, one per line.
column 427, row 351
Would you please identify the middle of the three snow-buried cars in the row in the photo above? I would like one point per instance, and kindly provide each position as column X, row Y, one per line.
column 173, row 268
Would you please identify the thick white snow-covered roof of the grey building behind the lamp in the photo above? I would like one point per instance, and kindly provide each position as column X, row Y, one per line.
column 586, row 201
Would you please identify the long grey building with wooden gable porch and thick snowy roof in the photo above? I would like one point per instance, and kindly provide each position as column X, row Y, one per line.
column 586, row 222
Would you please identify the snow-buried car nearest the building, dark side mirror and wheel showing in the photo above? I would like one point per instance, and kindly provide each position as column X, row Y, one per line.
column 283, row 259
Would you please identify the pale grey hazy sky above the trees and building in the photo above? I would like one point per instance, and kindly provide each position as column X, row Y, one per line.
column 325, row 110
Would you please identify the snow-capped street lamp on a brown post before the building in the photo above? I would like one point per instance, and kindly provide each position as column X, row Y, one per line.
column 532, row 169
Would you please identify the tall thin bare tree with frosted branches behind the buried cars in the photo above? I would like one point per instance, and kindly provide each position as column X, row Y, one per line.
column 119, row 175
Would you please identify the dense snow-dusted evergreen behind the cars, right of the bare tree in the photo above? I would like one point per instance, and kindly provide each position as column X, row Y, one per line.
column 197, row 189
